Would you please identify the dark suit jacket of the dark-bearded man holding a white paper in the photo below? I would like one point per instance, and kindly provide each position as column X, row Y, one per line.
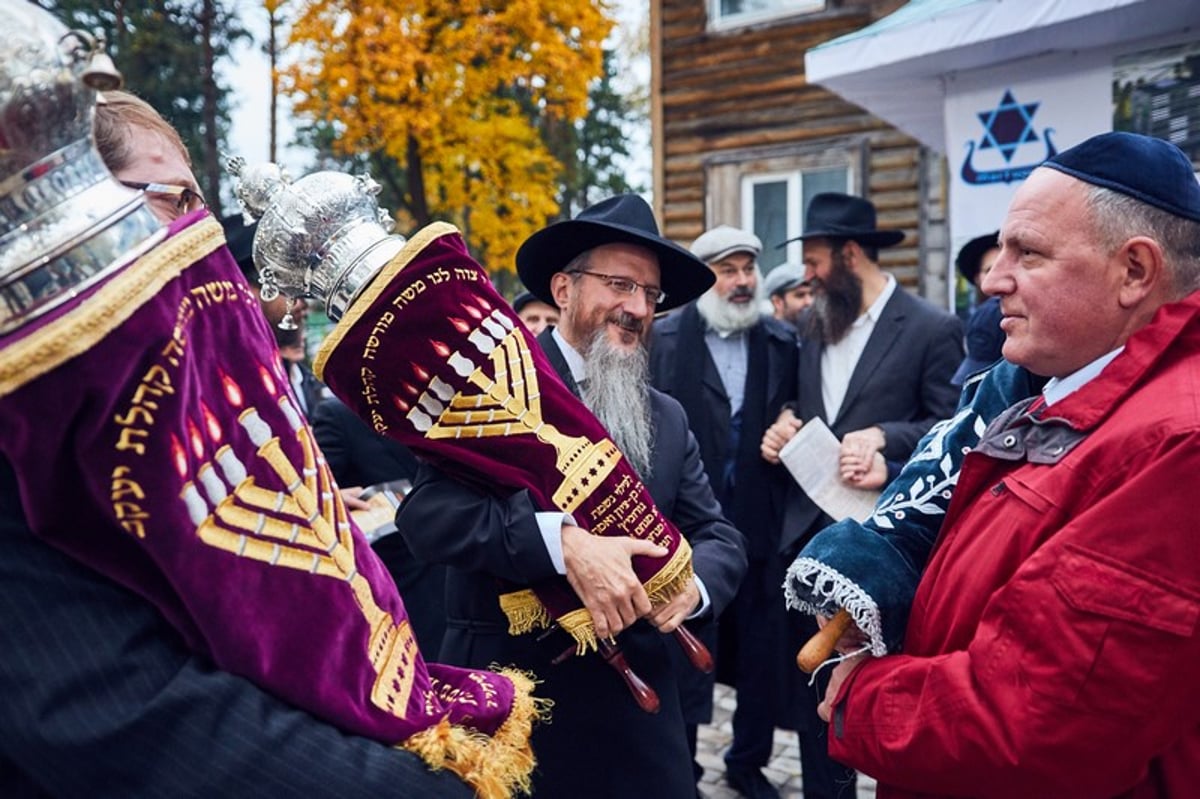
column 902, row 385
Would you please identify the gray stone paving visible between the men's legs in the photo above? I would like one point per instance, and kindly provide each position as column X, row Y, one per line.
column 785, row 762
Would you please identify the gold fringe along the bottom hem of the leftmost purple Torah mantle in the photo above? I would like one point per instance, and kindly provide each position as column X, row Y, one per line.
column 499, row 766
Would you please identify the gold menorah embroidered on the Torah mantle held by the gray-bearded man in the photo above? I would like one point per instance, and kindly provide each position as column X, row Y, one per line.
column 509, row 404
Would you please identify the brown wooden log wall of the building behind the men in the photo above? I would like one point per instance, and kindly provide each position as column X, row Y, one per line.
column 741, row 94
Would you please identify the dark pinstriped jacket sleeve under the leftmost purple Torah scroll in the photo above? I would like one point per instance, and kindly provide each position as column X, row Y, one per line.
column 100, row 699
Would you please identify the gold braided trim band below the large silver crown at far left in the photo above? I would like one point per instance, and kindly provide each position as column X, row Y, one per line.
column 81, row 329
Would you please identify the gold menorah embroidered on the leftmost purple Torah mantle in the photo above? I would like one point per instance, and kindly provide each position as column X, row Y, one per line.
column 304, row 527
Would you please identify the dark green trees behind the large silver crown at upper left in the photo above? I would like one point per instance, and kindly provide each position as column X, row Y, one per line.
column 169, row 51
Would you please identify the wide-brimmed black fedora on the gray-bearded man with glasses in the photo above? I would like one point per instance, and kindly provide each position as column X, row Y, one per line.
column 625, row 219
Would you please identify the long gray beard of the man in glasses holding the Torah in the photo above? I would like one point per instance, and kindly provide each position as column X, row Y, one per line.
column 617, row 393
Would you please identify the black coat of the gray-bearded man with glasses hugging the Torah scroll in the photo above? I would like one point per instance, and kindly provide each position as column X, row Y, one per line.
column 485, row 539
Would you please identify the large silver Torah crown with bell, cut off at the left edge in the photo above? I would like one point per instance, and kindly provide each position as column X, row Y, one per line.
column 65, row 223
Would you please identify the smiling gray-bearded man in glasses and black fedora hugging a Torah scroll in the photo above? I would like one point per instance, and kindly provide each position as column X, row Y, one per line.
column 609, row 272
